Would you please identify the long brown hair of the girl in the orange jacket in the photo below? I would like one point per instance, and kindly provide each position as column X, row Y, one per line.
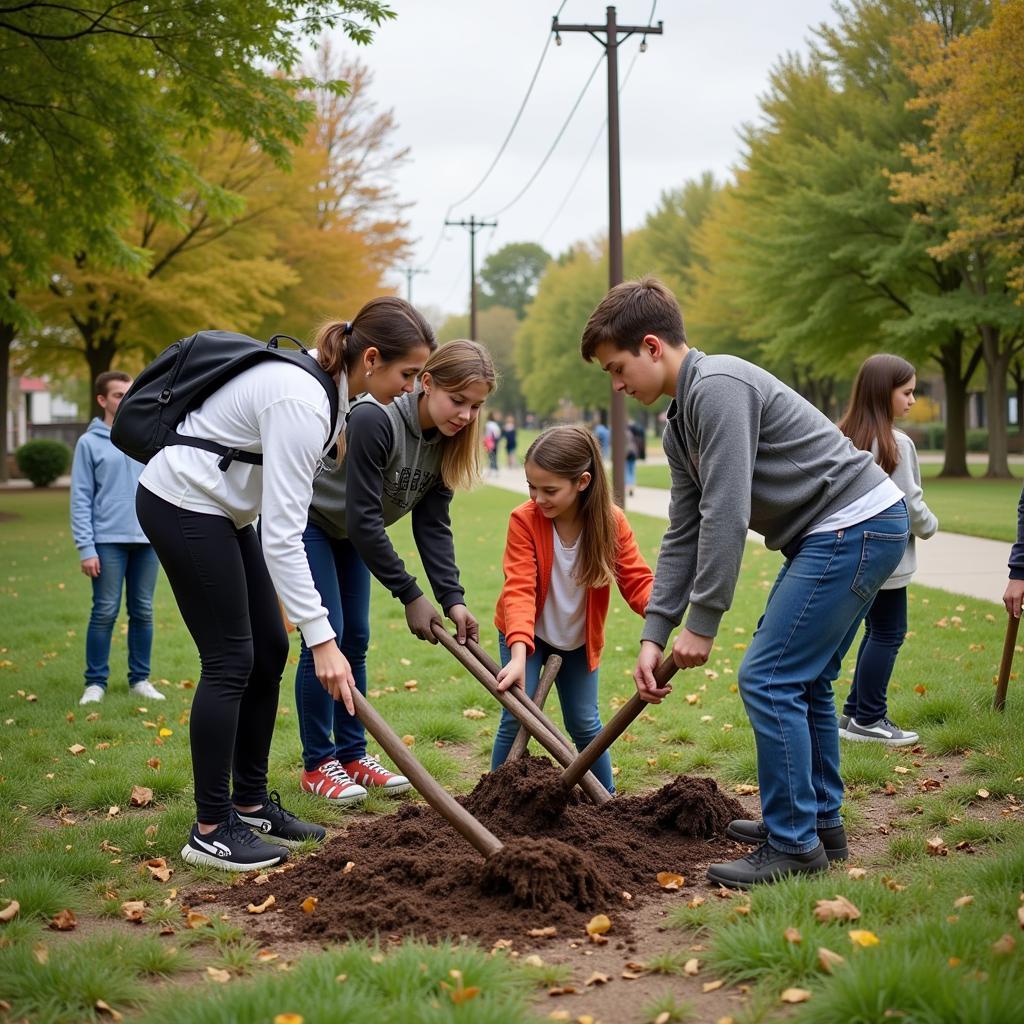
column 571, row 452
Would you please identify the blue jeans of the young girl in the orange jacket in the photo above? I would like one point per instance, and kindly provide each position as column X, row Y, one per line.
column 577, row 695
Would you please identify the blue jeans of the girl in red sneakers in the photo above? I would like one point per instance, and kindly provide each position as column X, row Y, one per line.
column 343, row 581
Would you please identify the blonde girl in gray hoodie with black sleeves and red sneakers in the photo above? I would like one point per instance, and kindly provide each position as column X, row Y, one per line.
column 409, row 457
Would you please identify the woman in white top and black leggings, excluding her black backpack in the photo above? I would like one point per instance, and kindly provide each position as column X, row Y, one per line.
column 200, row 520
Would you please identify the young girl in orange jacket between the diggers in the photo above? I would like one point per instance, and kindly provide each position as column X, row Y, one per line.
column 565, row 547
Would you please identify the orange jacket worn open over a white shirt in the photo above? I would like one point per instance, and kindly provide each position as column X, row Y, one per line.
column 529, row 557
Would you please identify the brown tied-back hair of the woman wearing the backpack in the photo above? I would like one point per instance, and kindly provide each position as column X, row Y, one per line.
column 389, row 324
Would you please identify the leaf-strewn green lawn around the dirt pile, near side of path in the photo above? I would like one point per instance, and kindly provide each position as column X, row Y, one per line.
column 63, row 847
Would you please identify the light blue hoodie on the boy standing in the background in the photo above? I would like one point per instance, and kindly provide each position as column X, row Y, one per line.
column 104, row 482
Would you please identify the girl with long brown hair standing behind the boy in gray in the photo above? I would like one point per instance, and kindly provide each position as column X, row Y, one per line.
column 882, row 394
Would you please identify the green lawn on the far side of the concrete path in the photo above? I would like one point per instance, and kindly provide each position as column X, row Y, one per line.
column 978, row 507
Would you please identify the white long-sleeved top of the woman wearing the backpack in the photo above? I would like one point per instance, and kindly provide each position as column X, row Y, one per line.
column 283, row 413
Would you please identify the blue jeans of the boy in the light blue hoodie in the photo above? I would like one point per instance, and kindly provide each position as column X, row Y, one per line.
column 135, row 567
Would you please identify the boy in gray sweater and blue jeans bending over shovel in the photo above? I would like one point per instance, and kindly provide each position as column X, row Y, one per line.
column 747, row 452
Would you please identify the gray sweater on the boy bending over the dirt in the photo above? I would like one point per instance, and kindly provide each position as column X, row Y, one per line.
column 746, row 452
